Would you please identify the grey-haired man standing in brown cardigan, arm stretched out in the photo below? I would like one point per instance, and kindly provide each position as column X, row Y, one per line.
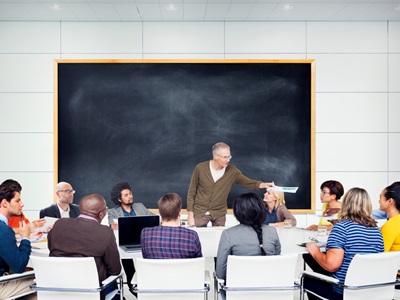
column 210, row 185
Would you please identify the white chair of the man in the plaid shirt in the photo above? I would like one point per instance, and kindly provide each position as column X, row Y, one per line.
column 171, row 279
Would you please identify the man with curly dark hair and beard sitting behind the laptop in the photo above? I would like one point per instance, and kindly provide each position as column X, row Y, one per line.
column 121, row 195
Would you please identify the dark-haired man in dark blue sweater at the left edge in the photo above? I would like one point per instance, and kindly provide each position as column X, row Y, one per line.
column 13, row 257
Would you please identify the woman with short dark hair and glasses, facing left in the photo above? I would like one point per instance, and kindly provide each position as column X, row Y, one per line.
column 331, row 192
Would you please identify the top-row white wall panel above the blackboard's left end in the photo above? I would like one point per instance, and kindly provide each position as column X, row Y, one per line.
column 101, row 37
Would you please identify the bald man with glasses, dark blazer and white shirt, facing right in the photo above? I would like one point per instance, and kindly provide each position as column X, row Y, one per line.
column 64, row 208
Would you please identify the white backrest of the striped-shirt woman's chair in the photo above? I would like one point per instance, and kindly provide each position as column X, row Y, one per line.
column 367, row 269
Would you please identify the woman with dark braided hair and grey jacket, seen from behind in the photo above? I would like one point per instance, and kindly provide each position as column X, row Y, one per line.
column 250, row 237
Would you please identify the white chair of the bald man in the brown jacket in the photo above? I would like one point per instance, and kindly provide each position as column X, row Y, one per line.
column 65, row 278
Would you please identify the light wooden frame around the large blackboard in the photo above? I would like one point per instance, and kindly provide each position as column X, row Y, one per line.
column 311, row 102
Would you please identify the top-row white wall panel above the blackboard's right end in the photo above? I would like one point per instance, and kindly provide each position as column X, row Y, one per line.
column 265, row 37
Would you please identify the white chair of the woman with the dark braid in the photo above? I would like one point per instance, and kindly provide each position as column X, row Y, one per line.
column 258, row 277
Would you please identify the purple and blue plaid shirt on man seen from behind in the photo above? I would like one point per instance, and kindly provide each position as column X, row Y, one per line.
column 170, row 242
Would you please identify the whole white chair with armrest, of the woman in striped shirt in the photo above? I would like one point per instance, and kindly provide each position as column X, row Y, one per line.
column 369, row 276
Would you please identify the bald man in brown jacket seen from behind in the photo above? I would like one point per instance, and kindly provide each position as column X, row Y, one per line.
column 86, row 237
